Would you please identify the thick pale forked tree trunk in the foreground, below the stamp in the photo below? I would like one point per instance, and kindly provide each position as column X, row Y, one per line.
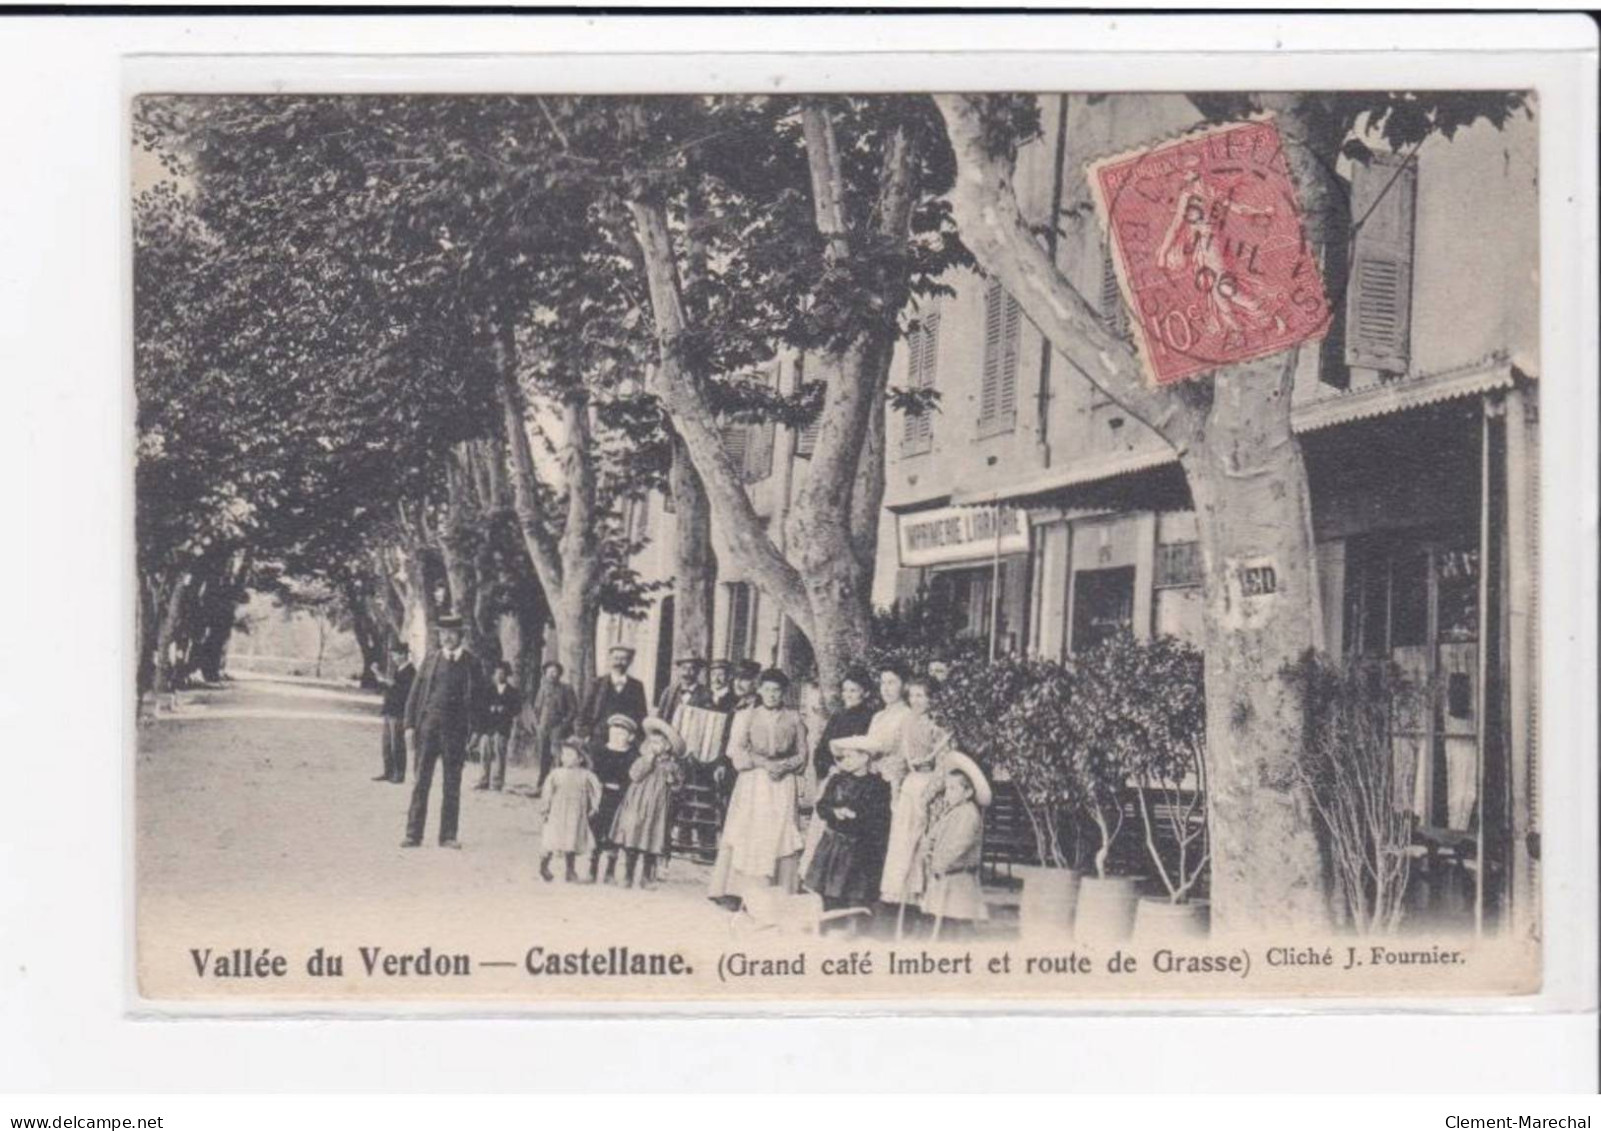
column 1234, row 440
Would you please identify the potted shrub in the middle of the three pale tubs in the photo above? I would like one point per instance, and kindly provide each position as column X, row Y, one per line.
column 1102, row 757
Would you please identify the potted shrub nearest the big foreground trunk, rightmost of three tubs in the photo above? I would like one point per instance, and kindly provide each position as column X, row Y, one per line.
column 1168, row 715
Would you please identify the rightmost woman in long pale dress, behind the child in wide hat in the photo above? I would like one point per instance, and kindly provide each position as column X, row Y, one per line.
column 917, row 765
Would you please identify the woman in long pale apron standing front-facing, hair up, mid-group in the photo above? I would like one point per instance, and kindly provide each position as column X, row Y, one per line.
column 761, row 837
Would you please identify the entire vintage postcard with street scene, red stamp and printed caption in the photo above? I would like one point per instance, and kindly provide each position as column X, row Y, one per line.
column 971, row 550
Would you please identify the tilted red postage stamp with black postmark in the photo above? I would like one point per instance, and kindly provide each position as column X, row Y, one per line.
column 1210, row 249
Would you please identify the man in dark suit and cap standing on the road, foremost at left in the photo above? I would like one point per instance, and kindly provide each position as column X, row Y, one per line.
column 444, row 712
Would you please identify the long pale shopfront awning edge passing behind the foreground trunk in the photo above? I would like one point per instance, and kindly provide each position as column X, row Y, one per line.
column 1475, row 379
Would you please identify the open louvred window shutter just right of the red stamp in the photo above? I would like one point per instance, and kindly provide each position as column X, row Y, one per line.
column 1379, row 292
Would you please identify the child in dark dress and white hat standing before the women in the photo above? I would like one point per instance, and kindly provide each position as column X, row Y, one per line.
column 856, row 813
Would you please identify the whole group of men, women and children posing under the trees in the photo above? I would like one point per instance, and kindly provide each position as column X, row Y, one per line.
column 881, row 816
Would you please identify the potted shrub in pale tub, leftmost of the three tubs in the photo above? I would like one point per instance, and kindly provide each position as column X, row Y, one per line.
column 1033, row 749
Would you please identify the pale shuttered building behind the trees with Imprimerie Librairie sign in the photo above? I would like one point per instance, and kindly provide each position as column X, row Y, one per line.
column 1048, row 517
